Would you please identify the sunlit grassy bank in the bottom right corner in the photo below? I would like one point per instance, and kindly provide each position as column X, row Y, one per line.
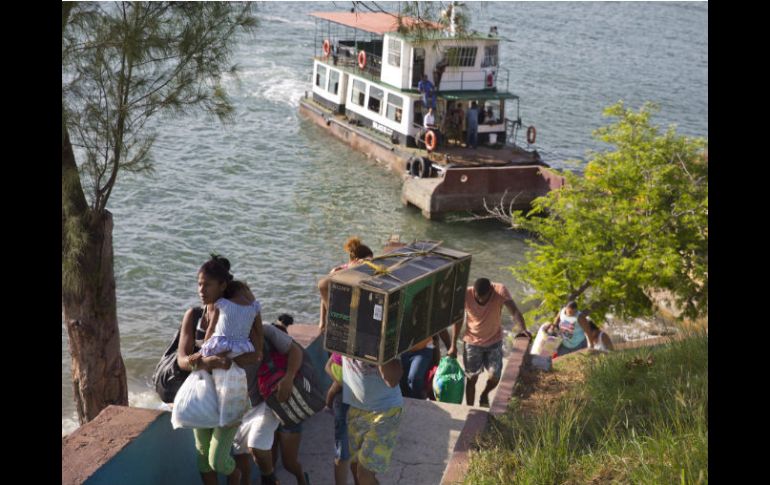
column 636, row 416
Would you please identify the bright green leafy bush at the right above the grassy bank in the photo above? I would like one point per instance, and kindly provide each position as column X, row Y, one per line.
column 637, row 220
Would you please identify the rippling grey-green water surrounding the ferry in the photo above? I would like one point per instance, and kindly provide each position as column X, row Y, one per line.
column 278, row 197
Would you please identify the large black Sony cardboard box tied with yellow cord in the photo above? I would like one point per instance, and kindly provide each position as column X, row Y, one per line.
column 380, row 310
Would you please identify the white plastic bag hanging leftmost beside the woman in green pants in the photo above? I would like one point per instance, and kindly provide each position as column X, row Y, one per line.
column 196, row 404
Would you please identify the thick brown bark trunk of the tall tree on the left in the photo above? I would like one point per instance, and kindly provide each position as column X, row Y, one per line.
column 98, row 372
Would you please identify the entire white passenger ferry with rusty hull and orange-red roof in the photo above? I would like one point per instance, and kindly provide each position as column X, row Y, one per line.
column 367, row 71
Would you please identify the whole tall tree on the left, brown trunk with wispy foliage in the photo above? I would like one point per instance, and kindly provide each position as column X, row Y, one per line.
column 122, row 64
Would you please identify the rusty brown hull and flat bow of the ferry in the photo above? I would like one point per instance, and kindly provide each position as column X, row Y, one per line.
column 452, row 178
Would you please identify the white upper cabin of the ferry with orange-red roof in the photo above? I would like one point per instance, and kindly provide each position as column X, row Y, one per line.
column 366, row 68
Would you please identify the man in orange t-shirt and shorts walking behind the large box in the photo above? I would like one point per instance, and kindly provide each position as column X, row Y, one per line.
column 483, row 339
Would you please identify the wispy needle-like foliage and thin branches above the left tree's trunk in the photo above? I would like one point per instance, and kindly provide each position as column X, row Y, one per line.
column 124, row 62
